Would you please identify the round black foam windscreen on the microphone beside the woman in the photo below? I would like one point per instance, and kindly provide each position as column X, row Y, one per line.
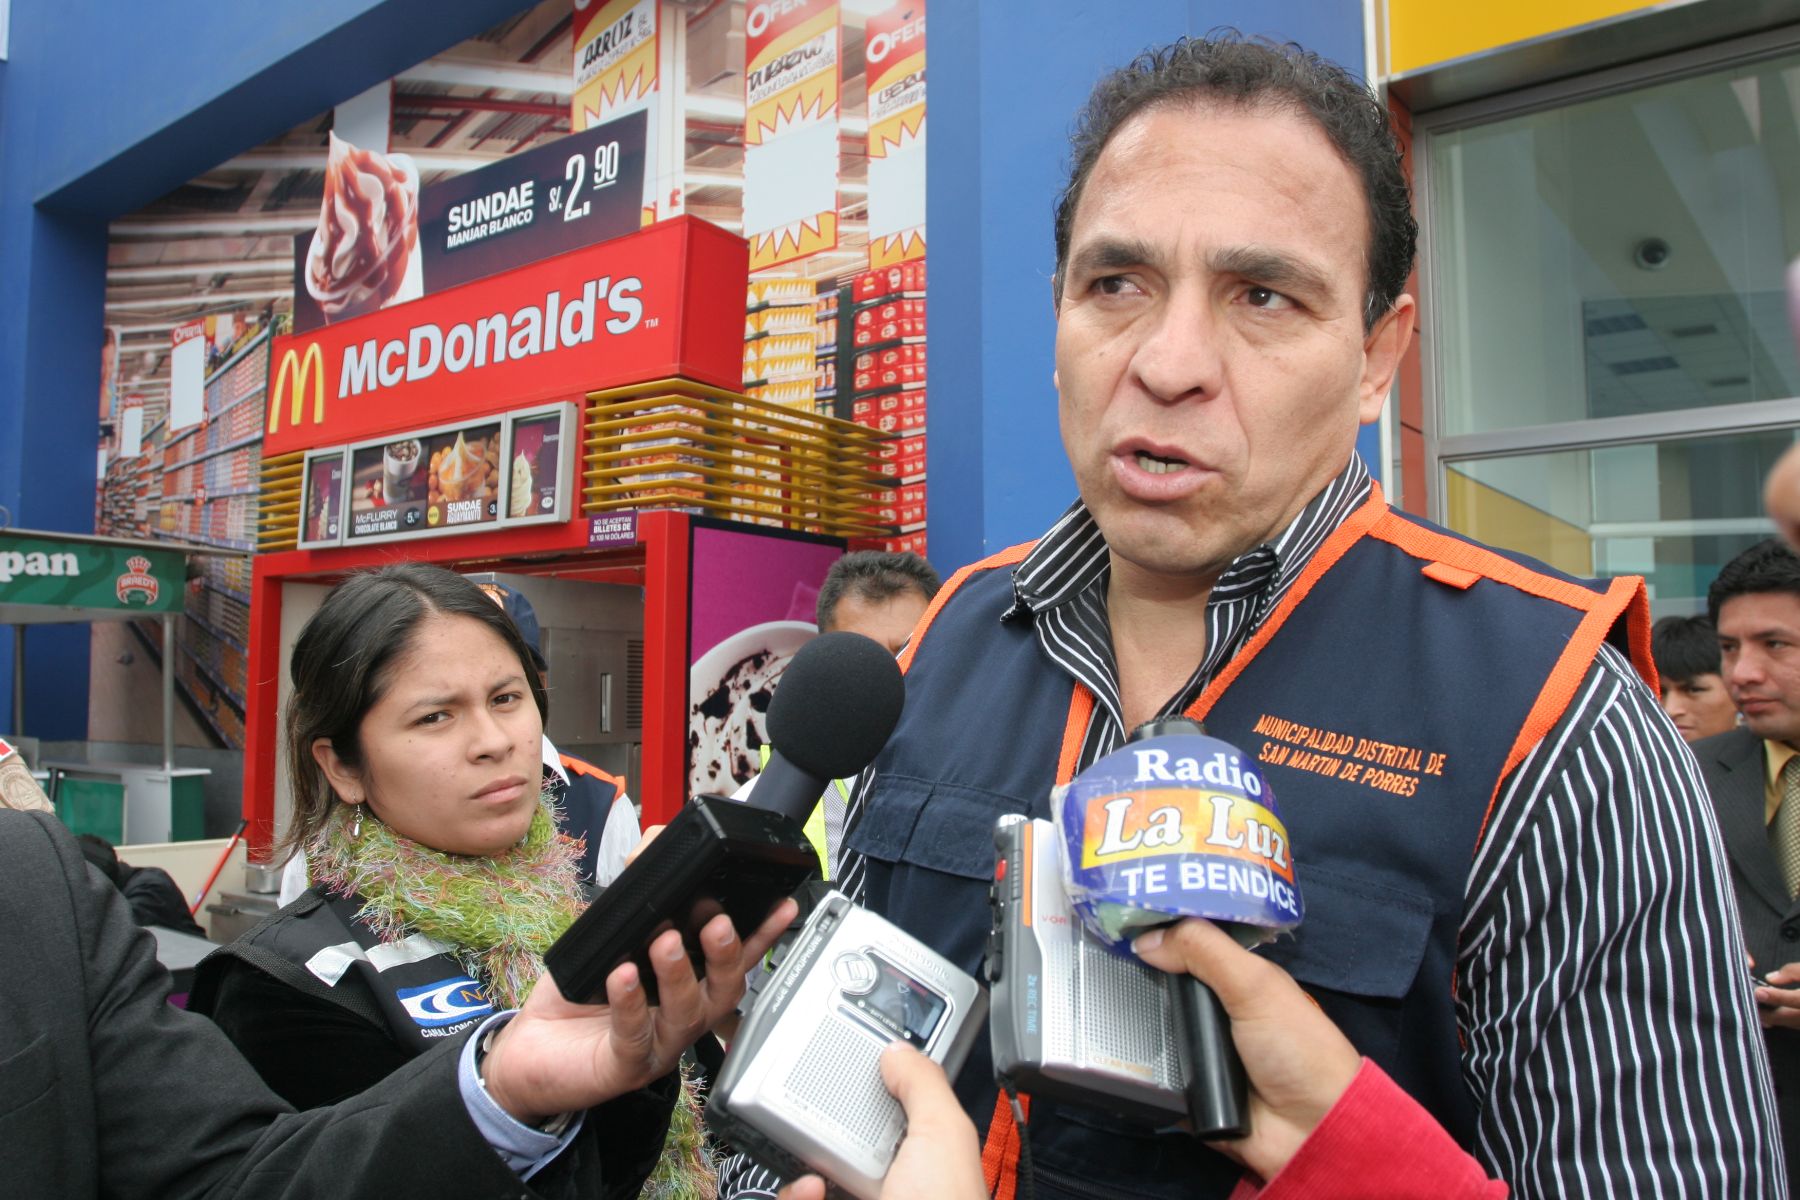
column 836, row 706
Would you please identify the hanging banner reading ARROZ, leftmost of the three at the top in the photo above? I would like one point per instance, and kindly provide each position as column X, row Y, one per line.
column 616, row 73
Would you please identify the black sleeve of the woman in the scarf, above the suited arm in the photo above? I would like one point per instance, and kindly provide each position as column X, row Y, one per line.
column 309, row 1052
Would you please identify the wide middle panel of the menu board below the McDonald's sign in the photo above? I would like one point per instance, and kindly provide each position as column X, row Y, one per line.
column 427, row 483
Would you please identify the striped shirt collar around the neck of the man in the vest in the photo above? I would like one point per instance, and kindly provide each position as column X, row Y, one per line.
column 1072, row 557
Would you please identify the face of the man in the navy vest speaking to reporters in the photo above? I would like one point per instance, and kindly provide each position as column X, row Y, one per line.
column 1210, row 350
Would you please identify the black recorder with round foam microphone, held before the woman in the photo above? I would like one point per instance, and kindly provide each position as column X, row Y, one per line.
column 832, row 713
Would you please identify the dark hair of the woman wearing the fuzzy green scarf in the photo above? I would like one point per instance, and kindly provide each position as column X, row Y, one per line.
column 341, row 668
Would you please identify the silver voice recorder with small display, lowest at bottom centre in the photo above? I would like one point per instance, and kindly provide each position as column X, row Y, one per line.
column 802, row 1088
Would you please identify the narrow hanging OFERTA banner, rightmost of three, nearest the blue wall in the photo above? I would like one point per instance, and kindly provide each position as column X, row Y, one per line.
column 895, row 53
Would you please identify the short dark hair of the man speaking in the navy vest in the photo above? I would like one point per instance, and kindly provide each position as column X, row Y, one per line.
column 1230, row 69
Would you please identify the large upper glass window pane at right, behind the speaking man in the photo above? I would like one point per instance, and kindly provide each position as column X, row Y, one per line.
column 1619, row 256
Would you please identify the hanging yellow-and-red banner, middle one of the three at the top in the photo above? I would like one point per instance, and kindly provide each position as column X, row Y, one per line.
column 791, row 130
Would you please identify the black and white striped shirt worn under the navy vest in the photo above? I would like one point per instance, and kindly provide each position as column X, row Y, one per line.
column 1610, row 1034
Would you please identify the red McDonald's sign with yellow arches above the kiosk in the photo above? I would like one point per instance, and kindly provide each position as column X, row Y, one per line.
column 667, row 301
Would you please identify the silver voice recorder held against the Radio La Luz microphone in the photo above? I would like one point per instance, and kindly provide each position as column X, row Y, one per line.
column 1074, row 1021
